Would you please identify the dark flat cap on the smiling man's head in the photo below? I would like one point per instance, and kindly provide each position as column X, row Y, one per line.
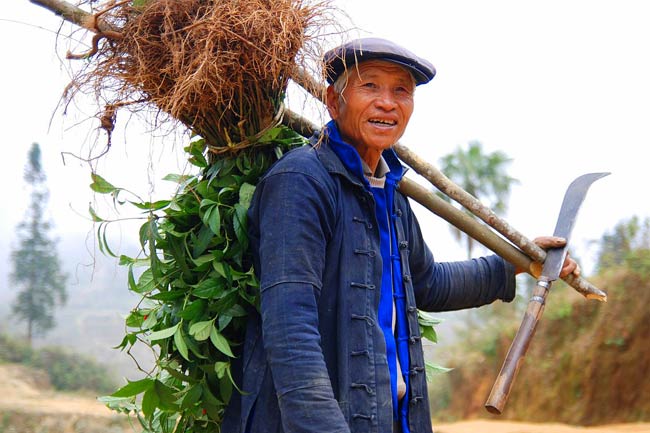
column 337, row 60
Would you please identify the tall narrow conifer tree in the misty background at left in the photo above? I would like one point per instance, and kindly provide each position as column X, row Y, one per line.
column 36, row 269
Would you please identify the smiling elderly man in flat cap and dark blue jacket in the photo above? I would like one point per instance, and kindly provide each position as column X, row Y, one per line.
column 343, row 267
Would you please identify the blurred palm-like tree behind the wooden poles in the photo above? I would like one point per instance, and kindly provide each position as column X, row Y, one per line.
column 482, row 175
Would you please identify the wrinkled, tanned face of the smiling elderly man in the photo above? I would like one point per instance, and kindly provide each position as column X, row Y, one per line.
column 375, row 106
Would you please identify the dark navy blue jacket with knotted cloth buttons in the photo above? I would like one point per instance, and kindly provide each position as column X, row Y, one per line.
column 314, row 359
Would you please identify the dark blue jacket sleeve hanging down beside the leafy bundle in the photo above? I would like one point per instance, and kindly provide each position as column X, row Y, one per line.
column 294, row 213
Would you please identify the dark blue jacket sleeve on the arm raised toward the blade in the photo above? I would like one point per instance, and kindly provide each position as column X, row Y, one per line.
column 448, row 286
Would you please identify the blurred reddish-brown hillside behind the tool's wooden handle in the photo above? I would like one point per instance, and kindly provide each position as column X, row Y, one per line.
column 588, row 364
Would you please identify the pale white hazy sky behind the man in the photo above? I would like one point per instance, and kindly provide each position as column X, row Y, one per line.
column 562, row 87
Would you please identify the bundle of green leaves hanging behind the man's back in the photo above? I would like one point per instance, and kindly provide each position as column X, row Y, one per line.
column 197, row 286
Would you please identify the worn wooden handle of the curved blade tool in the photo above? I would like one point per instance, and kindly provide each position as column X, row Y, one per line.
column 503, row 384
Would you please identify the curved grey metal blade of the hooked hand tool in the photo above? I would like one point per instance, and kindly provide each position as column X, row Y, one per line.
column 573, row 198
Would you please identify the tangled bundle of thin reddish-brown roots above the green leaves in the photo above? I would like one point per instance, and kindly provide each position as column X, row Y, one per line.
column 220, row 67
